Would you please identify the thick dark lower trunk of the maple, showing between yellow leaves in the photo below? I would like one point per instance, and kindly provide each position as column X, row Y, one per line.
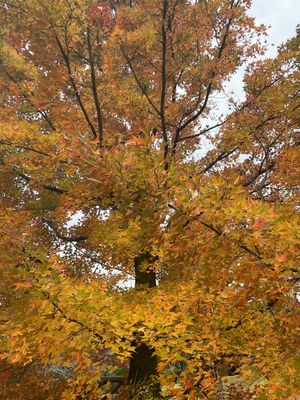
column 143, row 363
